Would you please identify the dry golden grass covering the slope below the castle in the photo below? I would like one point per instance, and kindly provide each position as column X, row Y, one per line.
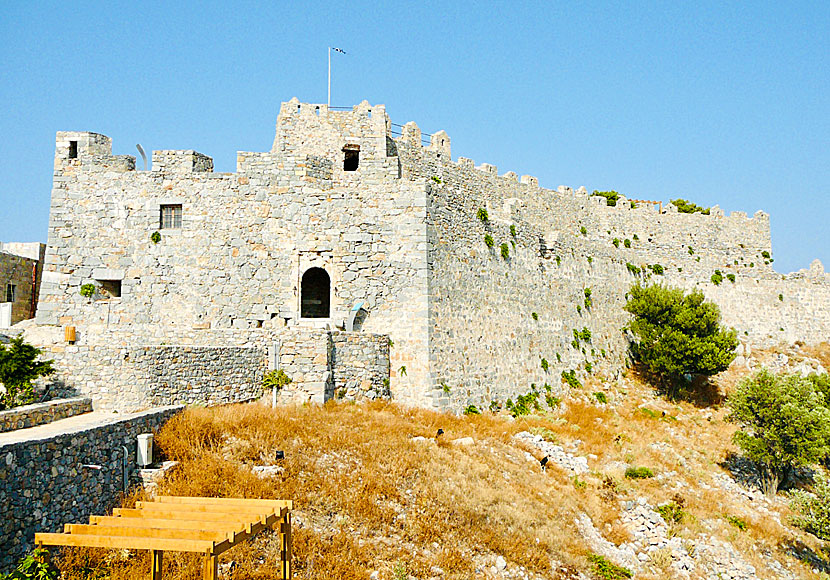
column 367, row 497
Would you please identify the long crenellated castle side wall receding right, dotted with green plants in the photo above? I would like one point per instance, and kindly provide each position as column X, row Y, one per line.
column 485, row 344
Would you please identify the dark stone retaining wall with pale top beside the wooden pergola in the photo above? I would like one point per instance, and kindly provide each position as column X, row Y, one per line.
column 43, row 481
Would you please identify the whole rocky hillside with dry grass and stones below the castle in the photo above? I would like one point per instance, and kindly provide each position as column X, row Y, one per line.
column 630, row 482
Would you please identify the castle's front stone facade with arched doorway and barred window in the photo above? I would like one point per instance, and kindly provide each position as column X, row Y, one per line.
column 246, row 240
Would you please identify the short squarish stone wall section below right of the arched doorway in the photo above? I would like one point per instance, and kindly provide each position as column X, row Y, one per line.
column 360, row 365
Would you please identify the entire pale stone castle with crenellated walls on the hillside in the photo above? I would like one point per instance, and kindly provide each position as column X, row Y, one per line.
column 367, row 263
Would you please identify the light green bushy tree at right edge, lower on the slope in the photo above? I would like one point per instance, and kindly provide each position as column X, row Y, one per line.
column 784, row 425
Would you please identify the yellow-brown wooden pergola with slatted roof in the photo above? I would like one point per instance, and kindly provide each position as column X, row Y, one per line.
column 203, row 525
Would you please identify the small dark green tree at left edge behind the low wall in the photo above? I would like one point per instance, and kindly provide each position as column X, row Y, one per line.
column 18, row 368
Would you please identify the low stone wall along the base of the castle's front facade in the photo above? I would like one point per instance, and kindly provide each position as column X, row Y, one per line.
column 127, row 377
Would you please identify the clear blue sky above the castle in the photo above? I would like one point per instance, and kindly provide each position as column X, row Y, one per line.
column 720, row 103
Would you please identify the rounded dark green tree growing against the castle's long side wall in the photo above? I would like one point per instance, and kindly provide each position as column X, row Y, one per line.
column 678, row 334
